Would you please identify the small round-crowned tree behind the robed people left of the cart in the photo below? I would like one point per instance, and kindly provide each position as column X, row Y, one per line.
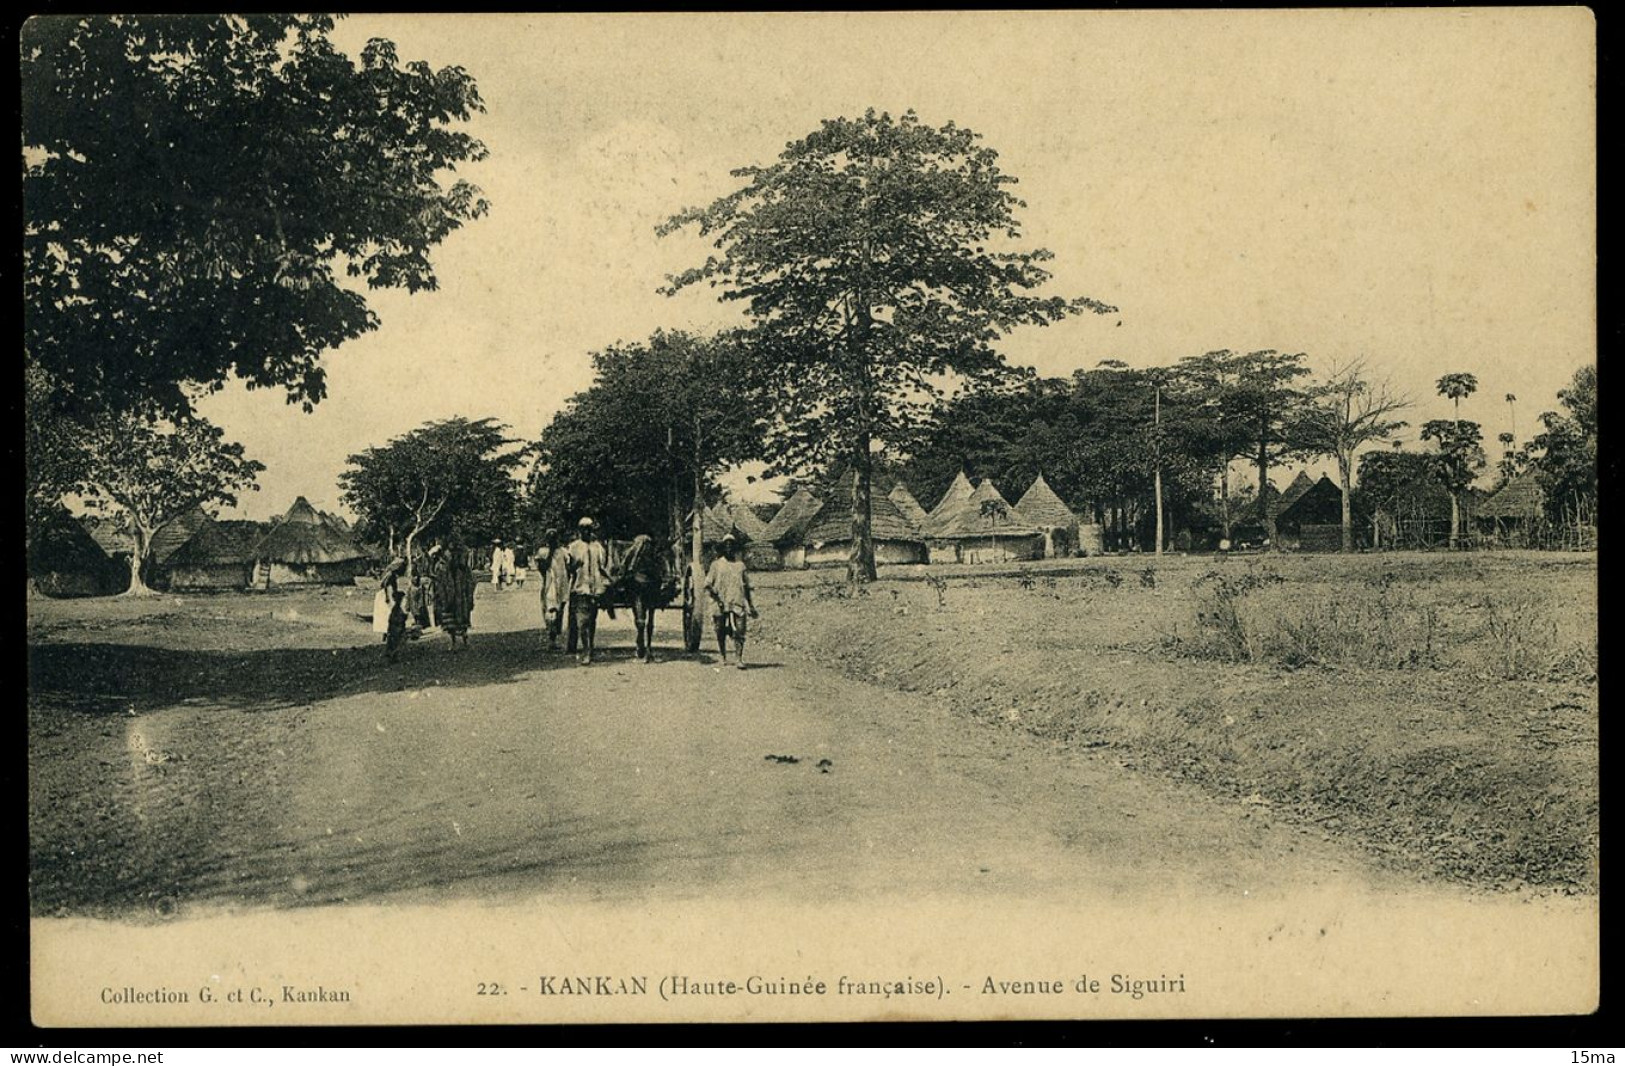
column 451, row 479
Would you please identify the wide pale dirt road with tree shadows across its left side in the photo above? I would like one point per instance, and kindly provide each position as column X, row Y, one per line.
column 319, row 774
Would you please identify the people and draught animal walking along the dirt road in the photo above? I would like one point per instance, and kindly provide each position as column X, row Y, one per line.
column 578, row 581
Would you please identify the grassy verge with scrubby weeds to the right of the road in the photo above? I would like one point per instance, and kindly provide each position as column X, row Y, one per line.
column 1442, row 711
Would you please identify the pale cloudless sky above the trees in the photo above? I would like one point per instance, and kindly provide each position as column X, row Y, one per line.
column 1415, row 188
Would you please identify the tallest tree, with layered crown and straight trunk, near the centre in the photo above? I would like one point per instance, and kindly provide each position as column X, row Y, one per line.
column 878, row 261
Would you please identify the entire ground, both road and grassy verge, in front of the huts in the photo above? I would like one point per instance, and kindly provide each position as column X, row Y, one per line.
column 223, row 752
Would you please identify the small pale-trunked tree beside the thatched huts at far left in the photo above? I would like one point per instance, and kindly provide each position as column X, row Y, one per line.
column 154, row 469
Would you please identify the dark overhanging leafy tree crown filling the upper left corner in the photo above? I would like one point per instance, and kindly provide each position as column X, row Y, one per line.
column 196, row 188
